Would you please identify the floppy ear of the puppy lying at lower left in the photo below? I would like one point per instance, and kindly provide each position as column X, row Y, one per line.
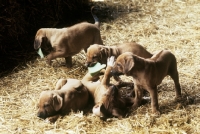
column 57, row 102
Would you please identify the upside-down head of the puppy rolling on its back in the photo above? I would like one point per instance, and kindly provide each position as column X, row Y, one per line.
column 108, row 105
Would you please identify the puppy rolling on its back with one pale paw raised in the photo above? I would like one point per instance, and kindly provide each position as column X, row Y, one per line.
column 107, row 99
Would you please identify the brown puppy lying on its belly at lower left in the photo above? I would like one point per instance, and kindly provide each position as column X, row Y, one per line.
column 69, row 94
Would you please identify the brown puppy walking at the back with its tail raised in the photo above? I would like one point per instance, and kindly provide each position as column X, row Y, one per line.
column 66, row 42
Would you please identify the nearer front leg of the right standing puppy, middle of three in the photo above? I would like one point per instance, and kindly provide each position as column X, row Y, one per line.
column 154, row 100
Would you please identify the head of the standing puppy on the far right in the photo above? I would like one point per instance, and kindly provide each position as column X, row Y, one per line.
column 123, row 64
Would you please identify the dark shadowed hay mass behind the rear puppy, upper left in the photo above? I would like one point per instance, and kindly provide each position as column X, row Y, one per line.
column 20, row 19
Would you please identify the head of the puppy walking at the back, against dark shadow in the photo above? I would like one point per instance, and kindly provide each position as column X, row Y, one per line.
column 40, row 38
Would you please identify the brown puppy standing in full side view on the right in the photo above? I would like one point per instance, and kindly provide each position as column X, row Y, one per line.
column 148, row 73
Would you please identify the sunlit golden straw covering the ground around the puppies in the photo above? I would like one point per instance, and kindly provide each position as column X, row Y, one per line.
column 167, row 24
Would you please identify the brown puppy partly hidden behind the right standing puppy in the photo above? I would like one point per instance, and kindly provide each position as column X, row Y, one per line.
column 99, row 53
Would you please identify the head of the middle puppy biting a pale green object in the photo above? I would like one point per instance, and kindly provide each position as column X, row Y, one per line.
column 96, row 53
